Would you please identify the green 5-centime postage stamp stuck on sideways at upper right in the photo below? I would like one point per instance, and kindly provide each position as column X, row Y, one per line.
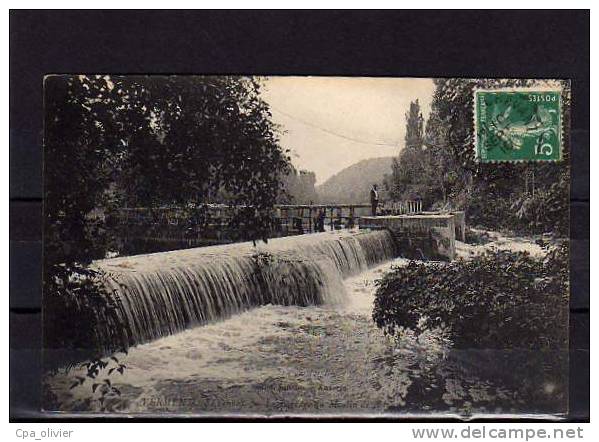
column 518, row 125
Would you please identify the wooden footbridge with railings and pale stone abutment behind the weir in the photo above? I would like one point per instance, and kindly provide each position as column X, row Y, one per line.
column 144, row 230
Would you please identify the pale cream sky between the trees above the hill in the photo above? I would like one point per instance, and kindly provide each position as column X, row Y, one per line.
column 330, row 123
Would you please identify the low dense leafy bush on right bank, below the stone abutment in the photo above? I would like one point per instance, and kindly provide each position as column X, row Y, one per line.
column 498, row 300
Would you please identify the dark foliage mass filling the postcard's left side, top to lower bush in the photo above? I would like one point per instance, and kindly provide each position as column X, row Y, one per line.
column 114, row 141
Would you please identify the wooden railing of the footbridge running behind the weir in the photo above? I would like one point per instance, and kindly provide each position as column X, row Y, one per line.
column 144, row 230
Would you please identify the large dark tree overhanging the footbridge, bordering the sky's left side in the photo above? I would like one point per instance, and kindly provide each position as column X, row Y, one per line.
column 205, row 134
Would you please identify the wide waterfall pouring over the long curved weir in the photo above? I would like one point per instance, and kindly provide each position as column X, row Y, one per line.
column 163, row 293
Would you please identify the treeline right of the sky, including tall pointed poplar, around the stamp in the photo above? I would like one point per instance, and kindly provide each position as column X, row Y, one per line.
column 438, row 166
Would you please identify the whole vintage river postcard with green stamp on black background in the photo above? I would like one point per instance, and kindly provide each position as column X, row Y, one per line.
column 306, row 246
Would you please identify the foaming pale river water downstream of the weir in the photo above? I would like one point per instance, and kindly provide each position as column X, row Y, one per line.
column 325, row 359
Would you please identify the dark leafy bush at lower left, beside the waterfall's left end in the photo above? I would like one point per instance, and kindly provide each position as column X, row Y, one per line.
column 76, row 306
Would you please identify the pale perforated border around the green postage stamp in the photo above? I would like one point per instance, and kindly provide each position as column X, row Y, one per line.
column 554, row 87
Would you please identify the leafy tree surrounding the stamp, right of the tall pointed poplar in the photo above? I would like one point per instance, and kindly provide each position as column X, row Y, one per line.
column 506, row 185
